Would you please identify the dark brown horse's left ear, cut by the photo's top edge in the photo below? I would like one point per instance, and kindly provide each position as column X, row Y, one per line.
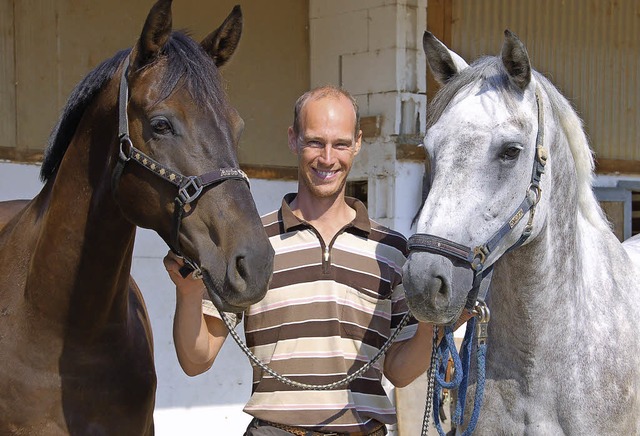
column 155, row 34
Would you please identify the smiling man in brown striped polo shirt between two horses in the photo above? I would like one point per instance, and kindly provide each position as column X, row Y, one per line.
column 335, row 298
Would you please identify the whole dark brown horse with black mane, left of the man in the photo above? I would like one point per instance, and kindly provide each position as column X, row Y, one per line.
column 76, row 352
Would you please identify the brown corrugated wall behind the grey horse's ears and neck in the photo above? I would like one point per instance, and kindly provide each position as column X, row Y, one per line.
column 590, row 49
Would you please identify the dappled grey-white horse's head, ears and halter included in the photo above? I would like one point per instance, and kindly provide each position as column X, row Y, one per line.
column 485, row 143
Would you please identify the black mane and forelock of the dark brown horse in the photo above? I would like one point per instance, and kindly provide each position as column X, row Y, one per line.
column 185, row 59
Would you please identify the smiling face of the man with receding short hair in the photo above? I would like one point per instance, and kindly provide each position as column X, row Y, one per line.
column 326, row 145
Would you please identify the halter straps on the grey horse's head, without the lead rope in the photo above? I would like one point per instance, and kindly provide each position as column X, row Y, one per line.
column 476, row 258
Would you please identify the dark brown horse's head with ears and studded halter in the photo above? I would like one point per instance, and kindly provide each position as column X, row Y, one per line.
column 178, row 127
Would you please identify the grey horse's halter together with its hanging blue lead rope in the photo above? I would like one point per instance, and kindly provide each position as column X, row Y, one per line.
column 478, row 259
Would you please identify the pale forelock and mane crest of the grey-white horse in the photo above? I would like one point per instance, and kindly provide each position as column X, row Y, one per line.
column 490, row 72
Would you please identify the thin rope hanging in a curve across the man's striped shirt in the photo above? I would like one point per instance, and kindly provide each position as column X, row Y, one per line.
column 323, row 387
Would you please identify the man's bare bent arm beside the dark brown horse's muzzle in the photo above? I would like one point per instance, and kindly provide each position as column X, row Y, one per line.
column 197, row 337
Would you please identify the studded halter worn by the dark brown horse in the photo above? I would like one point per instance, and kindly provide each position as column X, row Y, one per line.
column 189, row 187
